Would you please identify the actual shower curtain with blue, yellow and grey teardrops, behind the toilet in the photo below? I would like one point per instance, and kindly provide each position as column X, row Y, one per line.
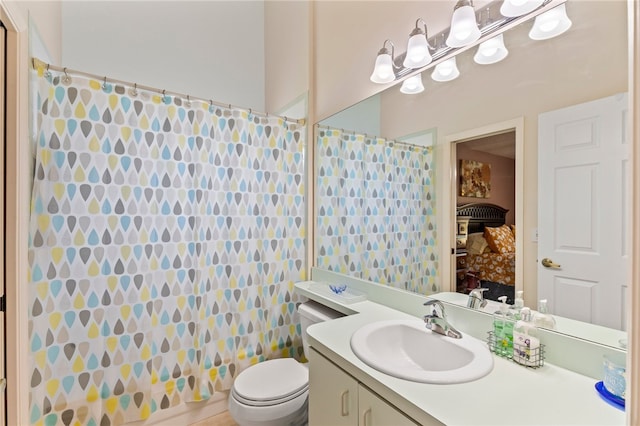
column 165, row 238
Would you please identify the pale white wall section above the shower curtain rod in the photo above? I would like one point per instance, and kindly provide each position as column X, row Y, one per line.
column 208, row 49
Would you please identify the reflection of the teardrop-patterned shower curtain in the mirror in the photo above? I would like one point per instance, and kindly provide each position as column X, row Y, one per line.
column 376, row 210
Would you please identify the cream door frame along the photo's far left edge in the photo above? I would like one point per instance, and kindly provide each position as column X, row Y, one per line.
column 16, row 214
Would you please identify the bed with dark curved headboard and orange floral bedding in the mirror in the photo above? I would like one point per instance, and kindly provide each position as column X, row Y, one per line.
column 490, row 250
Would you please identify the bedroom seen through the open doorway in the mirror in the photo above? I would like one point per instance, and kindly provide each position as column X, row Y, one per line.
column 485, row 254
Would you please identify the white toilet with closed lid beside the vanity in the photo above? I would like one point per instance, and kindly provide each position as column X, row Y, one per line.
column 276, row 392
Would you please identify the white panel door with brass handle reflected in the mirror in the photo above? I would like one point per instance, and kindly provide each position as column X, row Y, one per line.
column 583, row 204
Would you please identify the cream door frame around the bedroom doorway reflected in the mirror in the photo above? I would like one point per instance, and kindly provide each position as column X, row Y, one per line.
column 516, row 125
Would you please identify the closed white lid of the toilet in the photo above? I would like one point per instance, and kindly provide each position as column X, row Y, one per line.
column 272, row 381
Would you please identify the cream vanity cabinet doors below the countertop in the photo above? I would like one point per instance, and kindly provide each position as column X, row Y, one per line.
column 338, row 399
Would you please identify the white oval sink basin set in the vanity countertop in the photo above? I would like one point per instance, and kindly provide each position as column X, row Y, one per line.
column 408, row 350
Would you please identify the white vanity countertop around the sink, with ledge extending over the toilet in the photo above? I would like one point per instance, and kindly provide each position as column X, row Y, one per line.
column 510, row 395
